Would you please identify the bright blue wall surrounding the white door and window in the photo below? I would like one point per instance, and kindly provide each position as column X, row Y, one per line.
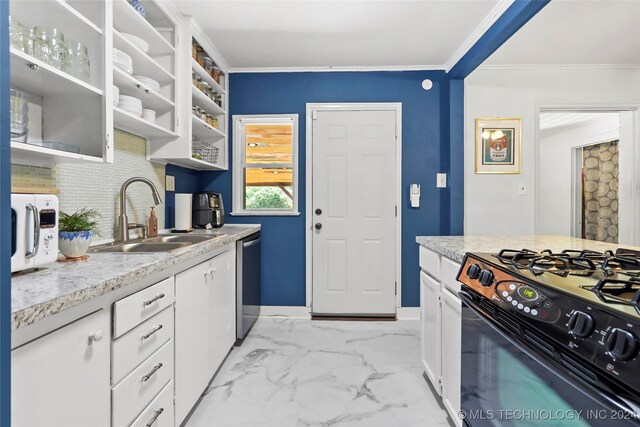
column 425, row 127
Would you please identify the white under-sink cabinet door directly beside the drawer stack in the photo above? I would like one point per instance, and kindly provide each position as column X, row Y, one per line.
column 193, row 330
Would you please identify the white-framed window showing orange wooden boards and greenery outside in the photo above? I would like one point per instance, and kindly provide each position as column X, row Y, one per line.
column 265, row 165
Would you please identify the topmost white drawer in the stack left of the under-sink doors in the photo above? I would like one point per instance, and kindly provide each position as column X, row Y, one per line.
column 129, row 312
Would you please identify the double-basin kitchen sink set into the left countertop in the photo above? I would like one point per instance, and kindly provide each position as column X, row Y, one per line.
column 161, row 243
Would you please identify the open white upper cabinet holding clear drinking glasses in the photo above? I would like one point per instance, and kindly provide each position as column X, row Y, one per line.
column 58, row 64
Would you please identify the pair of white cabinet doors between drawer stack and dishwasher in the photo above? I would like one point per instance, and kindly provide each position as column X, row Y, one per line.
column 204, row 325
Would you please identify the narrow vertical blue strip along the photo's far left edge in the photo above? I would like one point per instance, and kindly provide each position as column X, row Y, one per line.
column 5, row 223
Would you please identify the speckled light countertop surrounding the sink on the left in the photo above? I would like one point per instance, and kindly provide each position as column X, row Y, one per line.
column 41, row 293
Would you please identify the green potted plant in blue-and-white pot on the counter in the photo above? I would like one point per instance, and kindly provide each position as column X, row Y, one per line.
column 76, row 232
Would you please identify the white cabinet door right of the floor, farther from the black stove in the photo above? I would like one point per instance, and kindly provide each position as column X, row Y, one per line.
column 430, row 314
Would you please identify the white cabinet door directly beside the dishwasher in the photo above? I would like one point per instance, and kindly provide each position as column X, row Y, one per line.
column 222, row 299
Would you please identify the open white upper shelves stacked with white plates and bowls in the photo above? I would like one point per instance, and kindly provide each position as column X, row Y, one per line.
column 144, row 70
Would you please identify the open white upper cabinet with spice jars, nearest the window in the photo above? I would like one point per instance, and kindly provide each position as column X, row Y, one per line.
column 203, row 113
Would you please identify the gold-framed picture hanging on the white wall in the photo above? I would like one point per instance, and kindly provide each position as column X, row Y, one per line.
column 498, row 145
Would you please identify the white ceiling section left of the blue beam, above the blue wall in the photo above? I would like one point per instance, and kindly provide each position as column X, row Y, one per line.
column 321, row 34
